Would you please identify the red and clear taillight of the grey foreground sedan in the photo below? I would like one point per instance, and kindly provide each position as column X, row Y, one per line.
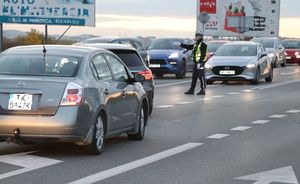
column 73, row 95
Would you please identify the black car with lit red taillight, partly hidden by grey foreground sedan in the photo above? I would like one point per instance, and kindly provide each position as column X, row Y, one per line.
column 134, row 62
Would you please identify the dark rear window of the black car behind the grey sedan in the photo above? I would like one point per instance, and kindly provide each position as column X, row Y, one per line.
column 130, row 58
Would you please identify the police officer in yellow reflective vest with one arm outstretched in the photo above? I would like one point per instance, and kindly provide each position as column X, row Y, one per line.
column 199, row 57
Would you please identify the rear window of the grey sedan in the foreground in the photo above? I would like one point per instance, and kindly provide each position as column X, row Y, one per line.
column 37, row 65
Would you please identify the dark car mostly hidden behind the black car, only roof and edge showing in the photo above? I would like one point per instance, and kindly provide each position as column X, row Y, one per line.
column 134, row 42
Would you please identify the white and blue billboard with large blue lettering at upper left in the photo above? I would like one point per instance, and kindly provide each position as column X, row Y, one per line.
column 50, row 12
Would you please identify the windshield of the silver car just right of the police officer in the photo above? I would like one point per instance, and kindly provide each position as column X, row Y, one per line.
column 237, row 50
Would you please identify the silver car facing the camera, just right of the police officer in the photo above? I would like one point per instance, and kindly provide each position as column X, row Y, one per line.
column 239, row 61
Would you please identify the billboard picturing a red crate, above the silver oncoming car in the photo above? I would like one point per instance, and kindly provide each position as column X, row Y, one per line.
column 251, row 18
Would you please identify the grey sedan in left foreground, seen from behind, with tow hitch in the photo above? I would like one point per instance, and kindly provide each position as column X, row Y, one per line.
column 69, row 94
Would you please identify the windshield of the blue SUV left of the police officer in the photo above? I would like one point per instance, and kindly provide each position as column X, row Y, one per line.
column 165, row 44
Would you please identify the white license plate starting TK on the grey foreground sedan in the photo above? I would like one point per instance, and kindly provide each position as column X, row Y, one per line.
column 20, row 102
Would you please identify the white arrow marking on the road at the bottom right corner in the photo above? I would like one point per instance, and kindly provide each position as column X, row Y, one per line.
column 282, row 175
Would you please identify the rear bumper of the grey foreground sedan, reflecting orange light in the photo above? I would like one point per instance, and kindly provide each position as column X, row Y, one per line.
column 66, row 126
